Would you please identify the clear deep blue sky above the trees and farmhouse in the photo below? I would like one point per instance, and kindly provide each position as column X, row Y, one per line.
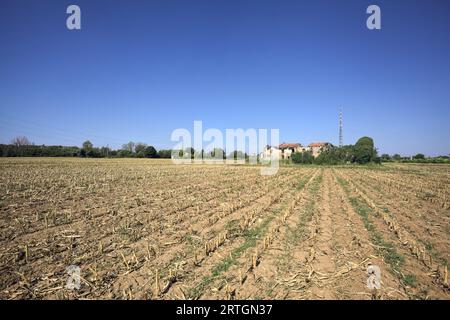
column 137, row 70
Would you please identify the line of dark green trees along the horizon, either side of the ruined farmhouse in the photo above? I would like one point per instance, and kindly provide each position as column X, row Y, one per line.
column 362, row 152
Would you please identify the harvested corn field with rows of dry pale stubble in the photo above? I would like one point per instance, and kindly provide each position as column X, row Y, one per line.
column 148, row 229
